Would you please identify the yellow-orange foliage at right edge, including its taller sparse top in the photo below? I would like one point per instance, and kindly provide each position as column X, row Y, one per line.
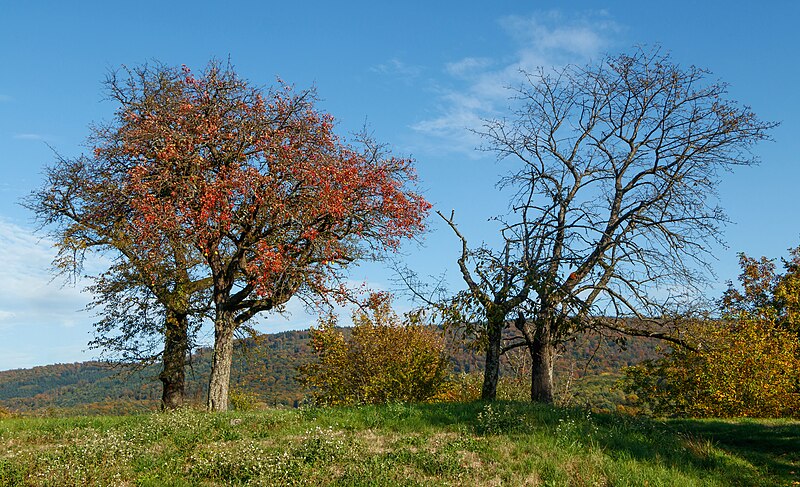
column 747, row 363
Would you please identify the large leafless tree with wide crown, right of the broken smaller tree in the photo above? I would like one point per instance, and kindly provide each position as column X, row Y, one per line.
column 615, row 206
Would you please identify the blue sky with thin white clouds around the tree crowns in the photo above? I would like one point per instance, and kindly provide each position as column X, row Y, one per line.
column 418, row 73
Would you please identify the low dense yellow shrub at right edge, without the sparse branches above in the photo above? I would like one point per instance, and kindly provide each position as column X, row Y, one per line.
column 747, row 368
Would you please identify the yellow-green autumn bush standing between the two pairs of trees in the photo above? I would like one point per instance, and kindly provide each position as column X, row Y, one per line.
column 383, row 360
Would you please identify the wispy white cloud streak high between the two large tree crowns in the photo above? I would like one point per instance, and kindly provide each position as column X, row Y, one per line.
column 478, row 86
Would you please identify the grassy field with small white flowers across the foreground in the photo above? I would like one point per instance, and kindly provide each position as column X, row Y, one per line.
column 433, row 444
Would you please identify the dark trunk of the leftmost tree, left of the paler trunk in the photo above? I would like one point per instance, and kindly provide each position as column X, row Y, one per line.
column 176, row 346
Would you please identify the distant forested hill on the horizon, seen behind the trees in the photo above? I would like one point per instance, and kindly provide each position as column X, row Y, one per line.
column 267, row 371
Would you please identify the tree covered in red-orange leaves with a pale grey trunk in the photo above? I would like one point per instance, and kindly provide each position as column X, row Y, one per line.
column 258, row 184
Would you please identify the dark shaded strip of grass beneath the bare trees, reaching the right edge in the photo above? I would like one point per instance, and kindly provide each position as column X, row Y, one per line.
column 731, row 452
